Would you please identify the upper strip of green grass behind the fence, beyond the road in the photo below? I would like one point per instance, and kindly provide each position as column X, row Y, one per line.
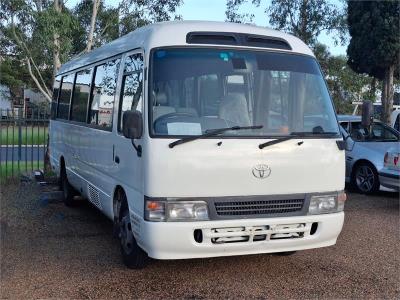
column 29, row 135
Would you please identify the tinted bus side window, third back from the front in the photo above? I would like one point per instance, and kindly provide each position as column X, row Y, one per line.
column 81, row 95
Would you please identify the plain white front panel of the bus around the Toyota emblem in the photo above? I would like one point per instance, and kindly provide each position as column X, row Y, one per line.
column 202, row 168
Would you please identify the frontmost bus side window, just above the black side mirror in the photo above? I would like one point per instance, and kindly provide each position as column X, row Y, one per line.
column 132, row 86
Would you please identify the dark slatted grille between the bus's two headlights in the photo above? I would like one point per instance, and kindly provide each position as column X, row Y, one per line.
column 262, row 207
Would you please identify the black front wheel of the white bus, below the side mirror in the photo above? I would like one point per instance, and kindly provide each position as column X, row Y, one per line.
column 133, row 256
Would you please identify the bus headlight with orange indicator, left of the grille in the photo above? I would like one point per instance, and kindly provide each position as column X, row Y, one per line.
column 163, row 210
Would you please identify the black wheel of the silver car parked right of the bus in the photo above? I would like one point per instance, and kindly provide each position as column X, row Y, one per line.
column 365, row 178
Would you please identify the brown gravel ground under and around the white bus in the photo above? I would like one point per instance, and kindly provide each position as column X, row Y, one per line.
column 50, row 251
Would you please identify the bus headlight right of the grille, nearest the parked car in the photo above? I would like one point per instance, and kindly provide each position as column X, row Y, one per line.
column 323, row 204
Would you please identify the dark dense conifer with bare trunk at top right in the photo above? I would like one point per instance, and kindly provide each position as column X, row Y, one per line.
column 374, row 47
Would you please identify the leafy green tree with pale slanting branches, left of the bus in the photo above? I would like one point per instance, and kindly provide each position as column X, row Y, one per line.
column 36, row 34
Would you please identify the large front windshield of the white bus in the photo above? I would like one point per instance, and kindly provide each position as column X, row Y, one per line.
column 194, row 90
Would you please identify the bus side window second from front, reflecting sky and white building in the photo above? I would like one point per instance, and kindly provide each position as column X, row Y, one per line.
column 102, row 103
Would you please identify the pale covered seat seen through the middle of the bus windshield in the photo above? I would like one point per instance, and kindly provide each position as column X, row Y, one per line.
column 233, row 108
